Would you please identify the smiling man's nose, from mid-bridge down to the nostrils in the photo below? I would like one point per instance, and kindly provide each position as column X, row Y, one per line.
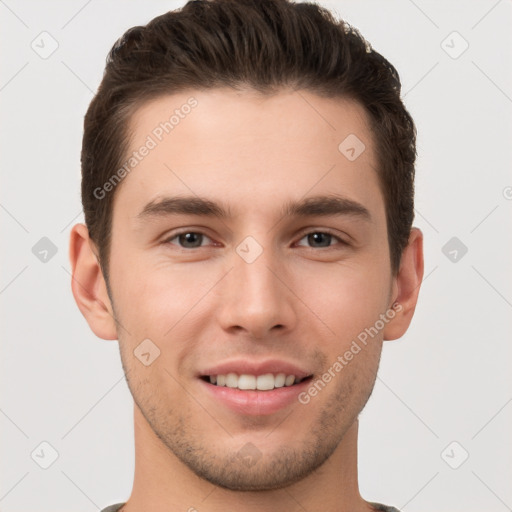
column 256, row 297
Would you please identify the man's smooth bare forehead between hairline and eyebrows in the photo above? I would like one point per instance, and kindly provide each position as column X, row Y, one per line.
column 255, row 147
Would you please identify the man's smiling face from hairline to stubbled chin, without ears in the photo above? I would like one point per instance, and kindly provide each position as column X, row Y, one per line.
column 261, row 292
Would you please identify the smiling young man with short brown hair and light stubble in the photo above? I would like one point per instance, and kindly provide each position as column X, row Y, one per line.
column 248, row 172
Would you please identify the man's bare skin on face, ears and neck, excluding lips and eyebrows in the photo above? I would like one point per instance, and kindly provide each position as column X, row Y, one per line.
column 302, row 300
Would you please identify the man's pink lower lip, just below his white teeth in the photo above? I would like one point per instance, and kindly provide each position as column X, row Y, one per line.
column 253, row 402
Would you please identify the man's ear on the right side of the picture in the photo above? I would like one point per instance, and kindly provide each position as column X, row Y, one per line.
column 406, row 286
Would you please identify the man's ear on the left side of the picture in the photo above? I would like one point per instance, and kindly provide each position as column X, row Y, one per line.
column 88, row 284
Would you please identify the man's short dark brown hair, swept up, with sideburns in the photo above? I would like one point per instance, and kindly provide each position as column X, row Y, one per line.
column 266, row 45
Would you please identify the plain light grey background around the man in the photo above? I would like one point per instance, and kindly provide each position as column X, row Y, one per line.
column 447, row 380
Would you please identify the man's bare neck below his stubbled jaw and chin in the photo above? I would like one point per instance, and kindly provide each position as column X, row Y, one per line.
column 162, row 483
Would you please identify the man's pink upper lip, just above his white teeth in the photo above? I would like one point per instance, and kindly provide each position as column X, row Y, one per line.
column 252, row 367
